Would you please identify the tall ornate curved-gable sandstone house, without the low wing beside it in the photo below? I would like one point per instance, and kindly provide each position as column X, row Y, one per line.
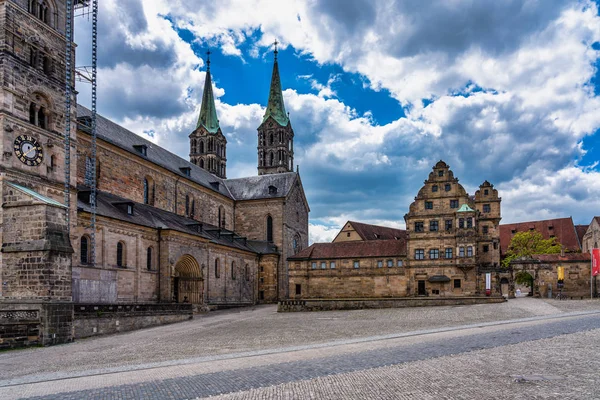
column 451, row 235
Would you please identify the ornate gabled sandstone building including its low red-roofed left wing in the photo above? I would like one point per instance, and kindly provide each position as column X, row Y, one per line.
column 451, row 240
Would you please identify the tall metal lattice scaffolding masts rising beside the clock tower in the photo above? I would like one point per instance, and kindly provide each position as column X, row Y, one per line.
column 87, row 9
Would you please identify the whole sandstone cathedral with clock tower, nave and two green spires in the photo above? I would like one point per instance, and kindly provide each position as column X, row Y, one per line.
column 165, row 229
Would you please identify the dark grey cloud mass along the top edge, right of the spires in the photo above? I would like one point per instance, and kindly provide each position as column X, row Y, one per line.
column 407, row 28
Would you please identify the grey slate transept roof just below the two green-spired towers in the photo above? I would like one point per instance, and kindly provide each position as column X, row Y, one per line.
column 257, row 187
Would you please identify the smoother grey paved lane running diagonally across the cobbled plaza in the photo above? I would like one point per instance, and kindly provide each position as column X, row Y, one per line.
column 246, row 379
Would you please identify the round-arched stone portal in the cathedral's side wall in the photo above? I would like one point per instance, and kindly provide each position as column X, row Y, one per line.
column 187, row 281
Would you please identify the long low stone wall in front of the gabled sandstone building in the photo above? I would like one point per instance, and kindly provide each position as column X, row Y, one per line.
column 359, row 304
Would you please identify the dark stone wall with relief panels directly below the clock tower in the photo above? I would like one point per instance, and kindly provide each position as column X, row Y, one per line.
column 28, row 323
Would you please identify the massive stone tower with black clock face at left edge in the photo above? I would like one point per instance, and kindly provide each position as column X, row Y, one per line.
column 35, row 257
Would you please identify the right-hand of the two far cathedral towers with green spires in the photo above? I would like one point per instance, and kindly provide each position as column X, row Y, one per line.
column 275, row 133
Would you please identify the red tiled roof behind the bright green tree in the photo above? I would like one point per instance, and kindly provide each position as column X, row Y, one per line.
column 562, row 228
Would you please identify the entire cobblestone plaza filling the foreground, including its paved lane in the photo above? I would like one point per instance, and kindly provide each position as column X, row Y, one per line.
column 525, row 347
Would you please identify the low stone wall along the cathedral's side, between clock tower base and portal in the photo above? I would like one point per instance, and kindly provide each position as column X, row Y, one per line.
column 101, row 319
